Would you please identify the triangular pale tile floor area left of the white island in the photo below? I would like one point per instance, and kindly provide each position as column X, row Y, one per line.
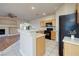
column 13, row 50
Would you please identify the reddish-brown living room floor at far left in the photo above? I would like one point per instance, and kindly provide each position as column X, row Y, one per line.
column 8, row 40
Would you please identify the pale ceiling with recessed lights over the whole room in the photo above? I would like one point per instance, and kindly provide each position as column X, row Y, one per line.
column 24, row 10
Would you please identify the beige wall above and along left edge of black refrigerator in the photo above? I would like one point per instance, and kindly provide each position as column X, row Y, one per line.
column 63, row 10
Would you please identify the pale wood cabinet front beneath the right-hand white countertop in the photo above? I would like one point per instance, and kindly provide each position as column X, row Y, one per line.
column 71, row 49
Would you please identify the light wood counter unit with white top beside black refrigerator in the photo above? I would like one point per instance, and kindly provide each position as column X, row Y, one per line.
column 71, row 46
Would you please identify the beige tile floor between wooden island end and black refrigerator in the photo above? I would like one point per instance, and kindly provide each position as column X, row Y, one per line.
column 51, row 48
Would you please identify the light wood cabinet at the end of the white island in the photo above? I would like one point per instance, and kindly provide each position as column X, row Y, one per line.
column 40, row 46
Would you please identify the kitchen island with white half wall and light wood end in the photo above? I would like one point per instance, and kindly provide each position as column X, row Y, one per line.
column 32, row 43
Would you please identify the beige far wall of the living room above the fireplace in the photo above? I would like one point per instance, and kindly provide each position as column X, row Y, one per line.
column 12, row 24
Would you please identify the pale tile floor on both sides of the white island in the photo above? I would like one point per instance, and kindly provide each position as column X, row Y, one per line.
column 51, row 49
